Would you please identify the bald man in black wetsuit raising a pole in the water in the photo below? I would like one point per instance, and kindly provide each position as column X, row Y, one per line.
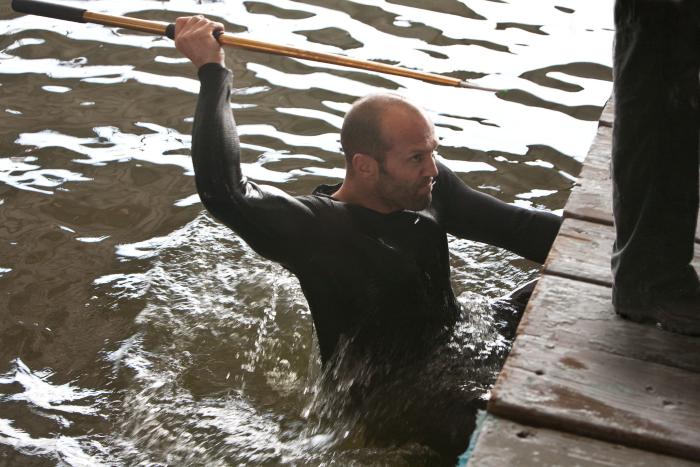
column 371, row 254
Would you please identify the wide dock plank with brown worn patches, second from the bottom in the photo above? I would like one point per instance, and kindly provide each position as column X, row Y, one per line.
column 604, row 396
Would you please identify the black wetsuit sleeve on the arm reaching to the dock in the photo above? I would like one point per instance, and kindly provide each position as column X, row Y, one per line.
column 467, row 213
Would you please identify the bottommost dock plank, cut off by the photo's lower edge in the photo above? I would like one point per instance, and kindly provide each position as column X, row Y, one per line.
column 505, row 443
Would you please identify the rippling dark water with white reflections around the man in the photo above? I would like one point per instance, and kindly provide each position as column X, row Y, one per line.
column 134, row 329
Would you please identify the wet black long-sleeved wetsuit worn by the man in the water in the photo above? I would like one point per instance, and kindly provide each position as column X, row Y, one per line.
column 378, row 279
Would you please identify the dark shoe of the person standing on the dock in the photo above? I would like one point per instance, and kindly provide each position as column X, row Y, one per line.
column 680, row 315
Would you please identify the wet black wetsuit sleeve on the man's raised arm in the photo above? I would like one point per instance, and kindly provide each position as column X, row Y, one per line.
column 269, row 220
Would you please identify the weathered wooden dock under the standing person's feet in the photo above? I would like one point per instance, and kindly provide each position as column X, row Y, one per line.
column 582, row 386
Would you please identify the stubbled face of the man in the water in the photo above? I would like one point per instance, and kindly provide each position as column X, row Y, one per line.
column 405, row 178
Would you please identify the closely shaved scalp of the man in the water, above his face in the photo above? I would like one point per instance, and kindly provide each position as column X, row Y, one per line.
column 364, row 125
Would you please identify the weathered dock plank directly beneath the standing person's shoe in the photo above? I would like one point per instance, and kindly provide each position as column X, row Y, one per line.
column 580, row 315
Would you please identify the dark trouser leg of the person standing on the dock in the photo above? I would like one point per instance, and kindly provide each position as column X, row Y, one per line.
column 655, row 149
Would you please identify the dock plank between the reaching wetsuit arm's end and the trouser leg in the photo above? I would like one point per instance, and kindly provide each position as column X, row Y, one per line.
column 582, row 251
